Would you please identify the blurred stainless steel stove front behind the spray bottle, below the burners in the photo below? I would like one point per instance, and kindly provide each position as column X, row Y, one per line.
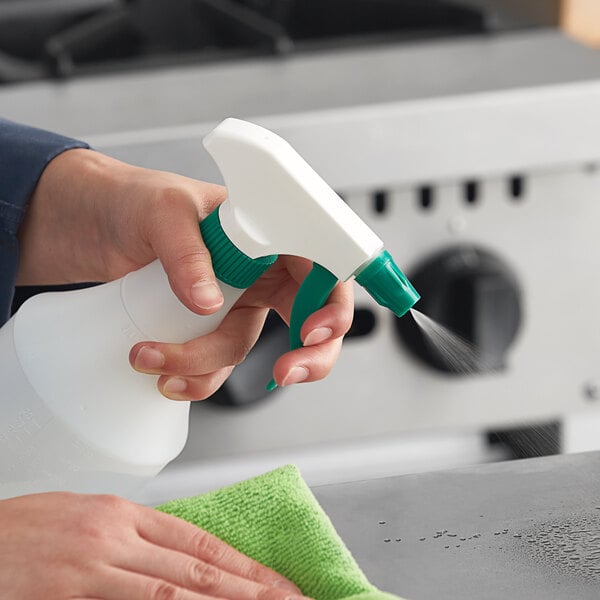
column 475, row 157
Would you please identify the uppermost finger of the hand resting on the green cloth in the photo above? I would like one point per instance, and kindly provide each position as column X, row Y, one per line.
column 174, row 533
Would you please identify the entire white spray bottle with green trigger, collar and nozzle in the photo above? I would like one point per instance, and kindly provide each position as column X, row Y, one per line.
column 75, row 416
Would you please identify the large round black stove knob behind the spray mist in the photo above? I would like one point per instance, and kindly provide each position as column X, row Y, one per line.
column 475, row 295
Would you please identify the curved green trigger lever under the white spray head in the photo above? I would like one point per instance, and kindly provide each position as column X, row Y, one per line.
column 311, row 296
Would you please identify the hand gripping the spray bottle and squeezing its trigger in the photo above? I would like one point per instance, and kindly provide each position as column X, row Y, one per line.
column 93, row 218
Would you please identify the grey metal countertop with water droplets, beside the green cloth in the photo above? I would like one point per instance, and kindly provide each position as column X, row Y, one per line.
column 519, row 530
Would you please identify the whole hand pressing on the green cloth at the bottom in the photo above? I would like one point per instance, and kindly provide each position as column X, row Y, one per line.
column 60, row 545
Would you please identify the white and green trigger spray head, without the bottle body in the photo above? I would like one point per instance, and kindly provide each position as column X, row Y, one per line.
column 277, row 204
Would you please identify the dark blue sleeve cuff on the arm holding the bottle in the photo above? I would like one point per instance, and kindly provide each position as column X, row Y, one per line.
column 24, row 153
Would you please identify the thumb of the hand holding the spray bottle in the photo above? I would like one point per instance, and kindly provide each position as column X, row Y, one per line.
column 186, row 260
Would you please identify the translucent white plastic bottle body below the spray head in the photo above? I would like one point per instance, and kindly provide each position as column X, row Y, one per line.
column 74, row 415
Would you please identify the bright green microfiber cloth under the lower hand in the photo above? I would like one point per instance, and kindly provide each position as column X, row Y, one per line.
column 275, row 519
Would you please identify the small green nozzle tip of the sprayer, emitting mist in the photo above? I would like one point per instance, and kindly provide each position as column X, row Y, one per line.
column 388, row 285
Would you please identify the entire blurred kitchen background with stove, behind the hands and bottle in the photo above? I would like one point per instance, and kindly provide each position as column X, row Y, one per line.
column 466, row 133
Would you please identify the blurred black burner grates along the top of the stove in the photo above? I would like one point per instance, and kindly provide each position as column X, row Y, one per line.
column 42, row 39
